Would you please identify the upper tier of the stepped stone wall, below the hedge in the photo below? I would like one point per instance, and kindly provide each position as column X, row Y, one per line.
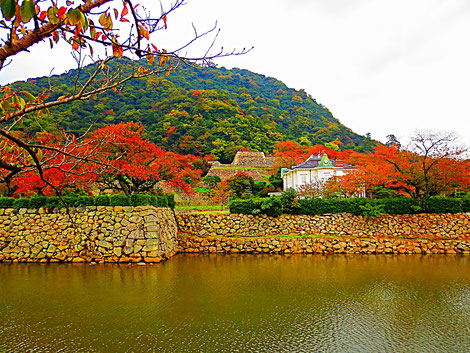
column 456, row 226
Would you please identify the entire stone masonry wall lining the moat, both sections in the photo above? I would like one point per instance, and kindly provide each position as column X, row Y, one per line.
column 147, row 234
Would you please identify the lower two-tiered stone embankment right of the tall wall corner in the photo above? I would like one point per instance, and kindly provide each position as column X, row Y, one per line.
column 325, row 234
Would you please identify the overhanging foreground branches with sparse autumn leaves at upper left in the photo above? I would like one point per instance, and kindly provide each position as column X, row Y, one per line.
column 115, row 28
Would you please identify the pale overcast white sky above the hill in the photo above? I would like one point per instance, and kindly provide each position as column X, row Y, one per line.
column 380, row 66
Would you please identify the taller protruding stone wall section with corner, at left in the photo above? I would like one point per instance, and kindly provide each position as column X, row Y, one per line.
column 91, row 234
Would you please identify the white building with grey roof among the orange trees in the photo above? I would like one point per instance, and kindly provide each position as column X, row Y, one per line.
column 315, row 169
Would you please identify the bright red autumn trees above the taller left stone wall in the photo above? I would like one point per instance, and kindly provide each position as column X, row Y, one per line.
column 116, row 157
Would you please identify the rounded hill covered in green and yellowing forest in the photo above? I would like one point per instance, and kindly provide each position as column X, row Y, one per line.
column 206, row 110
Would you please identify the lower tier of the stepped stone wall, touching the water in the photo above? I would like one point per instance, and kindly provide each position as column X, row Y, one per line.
column 320, row 245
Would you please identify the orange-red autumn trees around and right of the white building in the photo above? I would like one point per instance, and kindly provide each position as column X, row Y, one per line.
column 431, row 165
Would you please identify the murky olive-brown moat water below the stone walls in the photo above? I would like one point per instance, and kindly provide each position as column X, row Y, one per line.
column 240, row 303
